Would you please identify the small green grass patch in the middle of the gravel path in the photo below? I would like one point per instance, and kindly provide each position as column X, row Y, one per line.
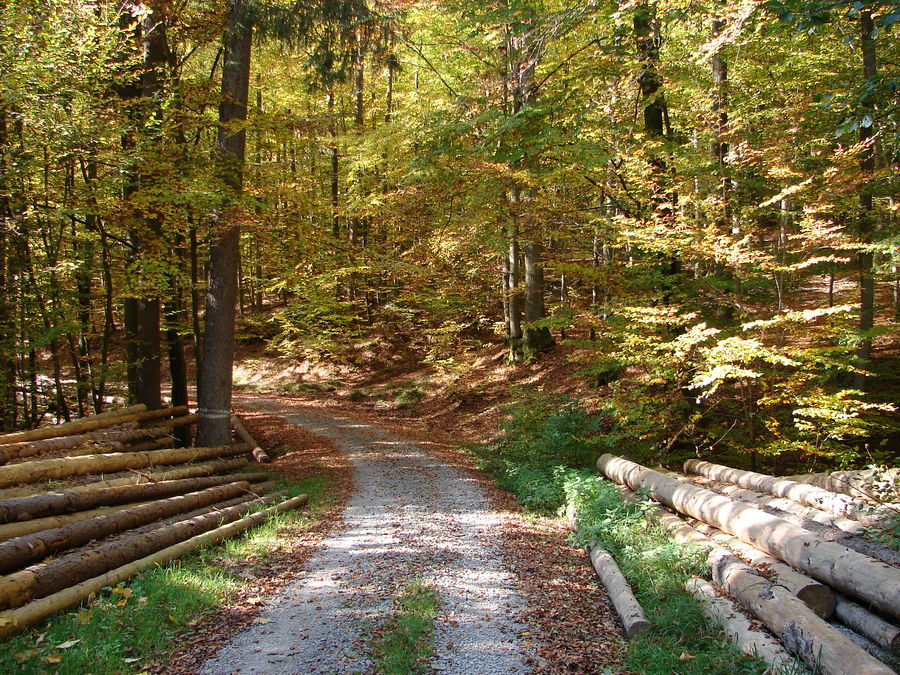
column 403, row 644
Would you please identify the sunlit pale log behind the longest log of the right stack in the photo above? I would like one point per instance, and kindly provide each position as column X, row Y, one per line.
column 808, row 495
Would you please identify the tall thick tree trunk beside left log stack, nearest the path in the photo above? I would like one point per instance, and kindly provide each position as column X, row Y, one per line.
column 218, row 343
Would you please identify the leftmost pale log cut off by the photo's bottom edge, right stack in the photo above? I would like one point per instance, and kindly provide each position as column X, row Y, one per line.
column 725, row 614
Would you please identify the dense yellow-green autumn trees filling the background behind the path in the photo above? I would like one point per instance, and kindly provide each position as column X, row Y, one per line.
column 698, row 200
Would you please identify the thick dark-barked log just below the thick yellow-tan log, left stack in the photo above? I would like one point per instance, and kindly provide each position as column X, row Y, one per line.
column 67, row 501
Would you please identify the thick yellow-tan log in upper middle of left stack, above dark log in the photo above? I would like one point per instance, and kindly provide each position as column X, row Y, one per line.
column 31, row 472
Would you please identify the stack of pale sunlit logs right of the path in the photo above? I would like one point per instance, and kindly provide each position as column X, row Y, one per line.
column 831, row 605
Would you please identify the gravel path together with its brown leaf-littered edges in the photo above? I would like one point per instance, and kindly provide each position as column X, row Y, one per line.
column 514, row 595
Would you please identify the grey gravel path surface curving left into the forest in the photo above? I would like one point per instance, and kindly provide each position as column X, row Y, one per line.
column 412, row 517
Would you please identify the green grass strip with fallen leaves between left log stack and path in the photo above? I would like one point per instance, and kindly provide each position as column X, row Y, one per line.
column 124, row 627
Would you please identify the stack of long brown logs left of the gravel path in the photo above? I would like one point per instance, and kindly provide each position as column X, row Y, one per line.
column 89, row 503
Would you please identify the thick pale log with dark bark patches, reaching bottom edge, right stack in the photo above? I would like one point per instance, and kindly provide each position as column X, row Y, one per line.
column 798, row 628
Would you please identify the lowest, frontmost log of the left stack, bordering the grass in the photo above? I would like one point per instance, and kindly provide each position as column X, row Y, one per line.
column 14, row 620
